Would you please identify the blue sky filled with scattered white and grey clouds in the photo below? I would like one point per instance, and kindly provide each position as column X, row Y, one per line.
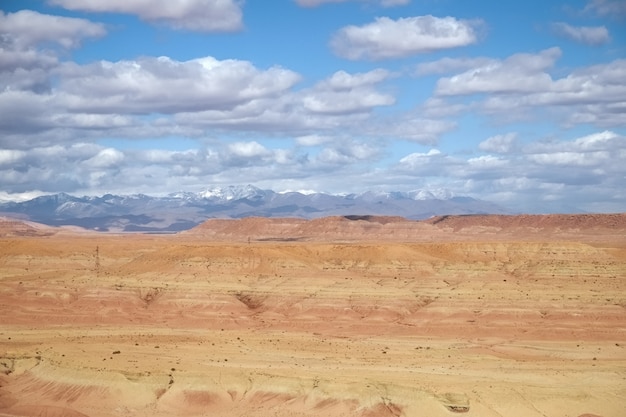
column 521, row 103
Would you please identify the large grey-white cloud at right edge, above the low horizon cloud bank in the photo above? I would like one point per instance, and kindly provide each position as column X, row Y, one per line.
column 521, row 87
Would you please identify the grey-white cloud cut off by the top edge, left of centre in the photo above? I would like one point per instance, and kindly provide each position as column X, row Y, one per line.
column 195, row 15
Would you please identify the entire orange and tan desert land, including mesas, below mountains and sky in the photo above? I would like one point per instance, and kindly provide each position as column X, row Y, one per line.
column 488, row 316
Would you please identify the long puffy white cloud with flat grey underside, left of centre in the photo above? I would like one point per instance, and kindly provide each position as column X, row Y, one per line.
column 165, row 85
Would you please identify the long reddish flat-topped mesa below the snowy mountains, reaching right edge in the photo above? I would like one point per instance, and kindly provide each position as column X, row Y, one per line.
column 394, row 228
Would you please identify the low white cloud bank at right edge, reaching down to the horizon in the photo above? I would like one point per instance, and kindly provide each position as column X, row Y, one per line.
column 554, row 175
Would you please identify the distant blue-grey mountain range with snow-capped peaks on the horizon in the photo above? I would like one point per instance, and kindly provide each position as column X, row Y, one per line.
column 184, row 210
